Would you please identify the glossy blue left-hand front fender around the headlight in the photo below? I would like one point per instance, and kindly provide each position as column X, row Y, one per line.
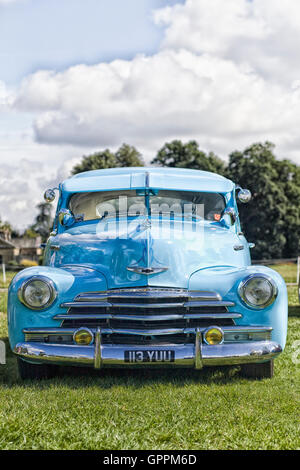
column 69, row 281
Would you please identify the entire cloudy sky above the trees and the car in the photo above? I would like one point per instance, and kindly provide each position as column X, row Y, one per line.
column 77, row 76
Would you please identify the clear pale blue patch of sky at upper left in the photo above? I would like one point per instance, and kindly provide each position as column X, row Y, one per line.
column 55, row 34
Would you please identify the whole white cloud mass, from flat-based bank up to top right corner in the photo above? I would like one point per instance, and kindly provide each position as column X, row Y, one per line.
column 215, row 79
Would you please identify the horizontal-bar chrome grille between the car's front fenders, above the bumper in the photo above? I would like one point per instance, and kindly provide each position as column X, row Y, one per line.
column 149, row 309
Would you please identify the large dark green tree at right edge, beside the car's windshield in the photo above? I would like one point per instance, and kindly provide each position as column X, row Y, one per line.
column 274, row 209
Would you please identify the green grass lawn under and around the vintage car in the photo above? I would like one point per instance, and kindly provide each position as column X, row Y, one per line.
column 182, row 409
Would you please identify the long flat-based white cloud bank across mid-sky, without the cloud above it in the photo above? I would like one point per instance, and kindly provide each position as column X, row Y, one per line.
column 175, row 93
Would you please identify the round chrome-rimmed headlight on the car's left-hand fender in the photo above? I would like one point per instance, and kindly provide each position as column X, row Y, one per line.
column 37, row 293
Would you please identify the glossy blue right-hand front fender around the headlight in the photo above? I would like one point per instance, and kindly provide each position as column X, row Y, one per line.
column 226, row 279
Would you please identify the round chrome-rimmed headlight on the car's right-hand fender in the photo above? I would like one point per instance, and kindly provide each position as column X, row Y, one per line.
column 258, row 291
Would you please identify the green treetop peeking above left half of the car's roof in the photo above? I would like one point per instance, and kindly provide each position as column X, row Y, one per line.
column 125, row 156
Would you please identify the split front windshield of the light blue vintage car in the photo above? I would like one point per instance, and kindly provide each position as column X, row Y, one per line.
column 131, row 203
